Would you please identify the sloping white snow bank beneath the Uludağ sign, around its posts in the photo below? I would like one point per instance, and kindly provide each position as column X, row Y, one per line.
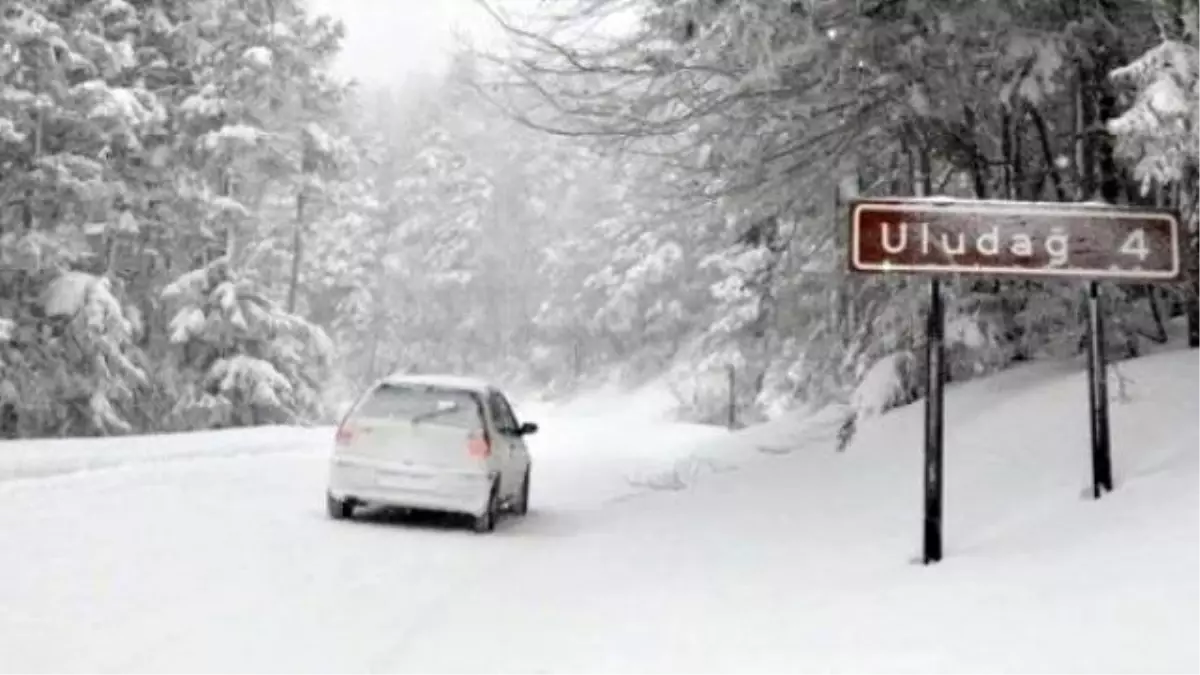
column 802, row 563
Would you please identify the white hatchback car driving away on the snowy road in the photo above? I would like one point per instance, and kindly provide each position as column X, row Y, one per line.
column 433, row 444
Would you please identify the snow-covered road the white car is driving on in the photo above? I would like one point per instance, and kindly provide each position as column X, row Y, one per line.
column 229, row 565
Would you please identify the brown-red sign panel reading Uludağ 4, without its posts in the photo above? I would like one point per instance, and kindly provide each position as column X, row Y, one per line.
column 1015, row 240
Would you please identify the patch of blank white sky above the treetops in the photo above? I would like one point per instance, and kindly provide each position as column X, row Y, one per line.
column 388, row 41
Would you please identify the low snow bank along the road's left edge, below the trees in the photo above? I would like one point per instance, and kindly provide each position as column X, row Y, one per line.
column 49, row 458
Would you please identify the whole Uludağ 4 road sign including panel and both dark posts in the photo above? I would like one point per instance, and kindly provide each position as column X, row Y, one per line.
column 1015, row 240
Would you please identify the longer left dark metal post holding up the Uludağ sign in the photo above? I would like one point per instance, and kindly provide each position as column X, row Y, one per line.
column 935, row 377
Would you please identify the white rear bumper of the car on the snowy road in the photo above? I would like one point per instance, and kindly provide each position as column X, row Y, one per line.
column 406, row 487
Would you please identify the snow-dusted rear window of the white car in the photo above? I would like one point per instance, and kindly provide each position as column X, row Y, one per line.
column 429, row 405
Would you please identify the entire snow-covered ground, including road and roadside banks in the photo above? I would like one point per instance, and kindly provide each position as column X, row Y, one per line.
column 779, row 557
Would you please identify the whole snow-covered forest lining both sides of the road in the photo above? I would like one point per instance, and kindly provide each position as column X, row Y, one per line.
column 202, row 226
